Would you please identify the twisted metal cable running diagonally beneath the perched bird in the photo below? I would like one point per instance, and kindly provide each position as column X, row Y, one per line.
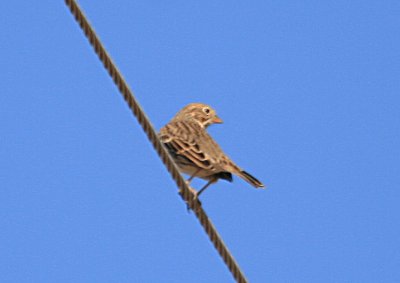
column 184, row 191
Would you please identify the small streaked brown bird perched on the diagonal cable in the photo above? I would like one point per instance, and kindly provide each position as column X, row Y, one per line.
column 194, row 150
